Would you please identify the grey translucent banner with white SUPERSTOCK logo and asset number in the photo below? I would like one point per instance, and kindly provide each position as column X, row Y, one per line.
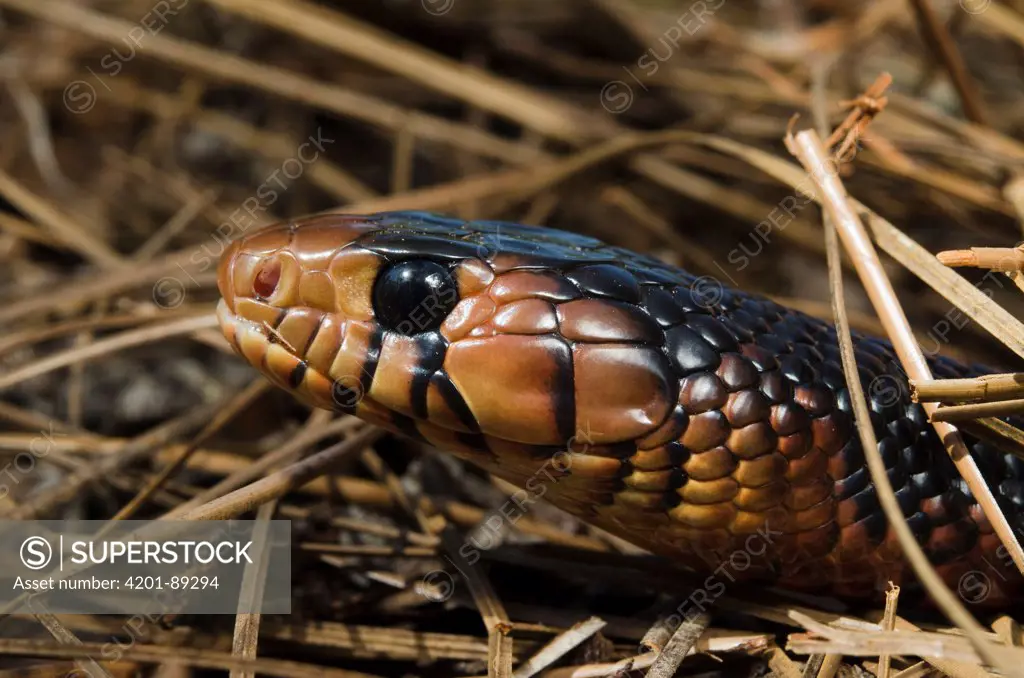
column 146, row 568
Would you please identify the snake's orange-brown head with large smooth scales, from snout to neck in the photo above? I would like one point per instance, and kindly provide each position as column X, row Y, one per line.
column 467, row 335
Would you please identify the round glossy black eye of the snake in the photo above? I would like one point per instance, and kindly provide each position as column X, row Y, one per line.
column 414, row 296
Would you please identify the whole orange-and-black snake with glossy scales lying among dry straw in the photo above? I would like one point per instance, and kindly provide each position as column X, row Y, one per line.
column 702, row 423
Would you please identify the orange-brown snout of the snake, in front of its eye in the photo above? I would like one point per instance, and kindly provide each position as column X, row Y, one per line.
column 296, row 306
